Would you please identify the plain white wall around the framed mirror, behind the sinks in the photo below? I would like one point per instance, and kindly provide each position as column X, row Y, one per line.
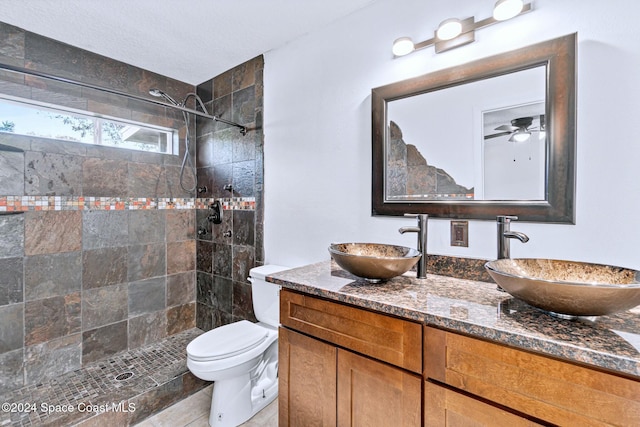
column 317, row 126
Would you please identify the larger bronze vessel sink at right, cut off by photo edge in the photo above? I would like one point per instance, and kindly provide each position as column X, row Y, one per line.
column 567, row 287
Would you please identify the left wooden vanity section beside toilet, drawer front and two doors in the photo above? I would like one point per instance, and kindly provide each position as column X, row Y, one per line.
column 344, row 366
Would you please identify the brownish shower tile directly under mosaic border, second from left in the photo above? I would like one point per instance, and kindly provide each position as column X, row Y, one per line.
column 52, row 232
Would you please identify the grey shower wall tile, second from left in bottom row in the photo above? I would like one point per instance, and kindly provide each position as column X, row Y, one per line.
column 53, row 358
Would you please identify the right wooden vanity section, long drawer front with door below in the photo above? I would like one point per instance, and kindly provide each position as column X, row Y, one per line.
column 480, row 377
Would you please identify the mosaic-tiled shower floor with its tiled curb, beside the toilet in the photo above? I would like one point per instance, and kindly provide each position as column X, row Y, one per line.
column 148, row 379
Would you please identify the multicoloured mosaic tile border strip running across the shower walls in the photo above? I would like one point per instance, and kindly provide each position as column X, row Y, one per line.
column 80, row 203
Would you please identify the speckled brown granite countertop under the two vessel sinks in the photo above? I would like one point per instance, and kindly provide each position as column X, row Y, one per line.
column 479, row 309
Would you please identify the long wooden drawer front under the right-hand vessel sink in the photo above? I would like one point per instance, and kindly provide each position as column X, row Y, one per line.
column 548, row 389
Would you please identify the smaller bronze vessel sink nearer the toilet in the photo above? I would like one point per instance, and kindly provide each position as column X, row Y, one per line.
column 374, row 261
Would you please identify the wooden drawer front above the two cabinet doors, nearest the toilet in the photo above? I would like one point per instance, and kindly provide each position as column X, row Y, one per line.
column 392, row 340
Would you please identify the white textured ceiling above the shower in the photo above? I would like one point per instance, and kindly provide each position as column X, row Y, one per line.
column 189, row 40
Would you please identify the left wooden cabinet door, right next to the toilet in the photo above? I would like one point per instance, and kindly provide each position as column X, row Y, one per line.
column 307, row 381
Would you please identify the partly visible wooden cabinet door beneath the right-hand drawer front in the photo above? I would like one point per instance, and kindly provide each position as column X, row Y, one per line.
column 445, row 407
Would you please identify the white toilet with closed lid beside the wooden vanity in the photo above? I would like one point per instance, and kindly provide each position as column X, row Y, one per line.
column 242, row 357
